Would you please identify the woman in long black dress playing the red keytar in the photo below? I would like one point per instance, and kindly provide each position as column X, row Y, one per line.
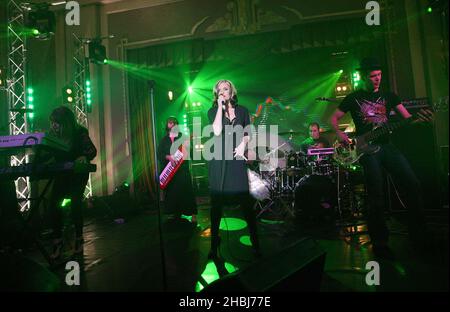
column 179, row 194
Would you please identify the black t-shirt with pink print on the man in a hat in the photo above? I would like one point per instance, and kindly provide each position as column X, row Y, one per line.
column 369, row 109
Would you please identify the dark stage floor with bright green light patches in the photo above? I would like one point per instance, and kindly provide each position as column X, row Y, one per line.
column 126, row 256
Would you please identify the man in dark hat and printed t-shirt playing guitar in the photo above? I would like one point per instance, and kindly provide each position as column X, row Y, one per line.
column 370, row 107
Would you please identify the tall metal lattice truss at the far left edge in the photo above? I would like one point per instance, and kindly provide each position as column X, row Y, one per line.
column 16, row 91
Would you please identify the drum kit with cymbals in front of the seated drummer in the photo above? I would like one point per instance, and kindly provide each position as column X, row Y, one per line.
column 275, row 180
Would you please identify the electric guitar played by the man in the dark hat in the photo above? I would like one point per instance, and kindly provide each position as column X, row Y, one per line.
column 365, row 144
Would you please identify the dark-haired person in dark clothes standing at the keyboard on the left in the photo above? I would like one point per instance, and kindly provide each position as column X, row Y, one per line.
column 63, row 125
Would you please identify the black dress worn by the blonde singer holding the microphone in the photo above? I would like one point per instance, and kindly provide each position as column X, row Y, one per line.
column 229, row 177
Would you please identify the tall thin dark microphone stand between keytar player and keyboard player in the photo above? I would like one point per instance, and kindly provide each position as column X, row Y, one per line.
column 151, row 84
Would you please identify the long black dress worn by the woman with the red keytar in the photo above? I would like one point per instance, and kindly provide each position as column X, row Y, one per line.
column 179, row 195
